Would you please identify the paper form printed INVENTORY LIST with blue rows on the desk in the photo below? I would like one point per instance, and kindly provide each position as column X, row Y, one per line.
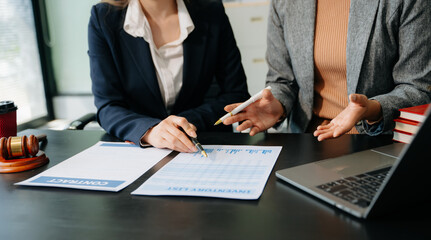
column 238, row 172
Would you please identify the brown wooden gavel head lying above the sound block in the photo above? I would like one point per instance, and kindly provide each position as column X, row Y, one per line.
column 17, row 147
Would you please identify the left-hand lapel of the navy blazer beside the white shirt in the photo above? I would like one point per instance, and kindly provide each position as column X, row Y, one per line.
column 140, row 52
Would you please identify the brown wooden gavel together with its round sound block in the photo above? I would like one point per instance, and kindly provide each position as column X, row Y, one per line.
column 19, row 154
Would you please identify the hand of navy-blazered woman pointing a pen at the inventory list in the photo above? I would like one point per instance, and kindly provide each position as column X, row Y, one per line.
column 167, row 134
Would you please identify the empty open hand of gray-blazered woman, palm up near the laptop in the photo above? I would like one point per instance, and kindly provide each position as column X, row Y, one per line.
column 359, row 108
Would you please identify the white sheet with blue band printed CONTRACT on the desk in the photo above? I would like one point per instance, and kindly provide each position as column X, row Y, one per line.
column 106, row 166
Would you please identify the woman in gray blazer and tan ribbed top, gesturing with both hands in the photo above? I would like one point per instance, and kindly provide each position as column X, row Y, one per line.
column 387, row 66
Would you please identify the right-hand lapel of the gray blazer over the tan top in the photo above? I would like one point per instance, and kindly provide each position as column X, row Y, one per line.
column 361, row 19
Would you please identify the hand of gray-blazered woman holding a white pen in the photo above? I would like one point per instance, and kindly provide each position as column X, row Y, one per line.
column 258, row 116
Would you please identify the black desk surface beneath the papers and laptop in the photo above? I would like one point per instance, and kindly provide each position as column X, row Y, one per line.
column 282, row 212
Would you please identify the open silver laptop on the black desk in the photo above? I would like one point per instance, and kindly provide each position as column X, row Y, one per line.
column 371, row 182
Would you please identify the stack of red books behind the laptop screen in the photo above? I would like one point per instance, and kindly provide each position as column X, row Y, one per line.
column 409, row 122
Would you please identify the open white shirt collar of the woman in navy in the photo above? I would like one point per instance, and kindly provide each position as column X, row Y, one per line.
column 136, row 24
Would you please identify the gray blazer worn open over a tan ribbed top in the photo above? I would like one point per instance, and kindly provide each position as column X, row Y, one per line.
column 388, row 56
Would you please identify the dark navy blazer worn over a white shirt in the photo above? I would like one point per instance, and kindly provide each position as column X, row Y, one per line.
column 124, row 82
